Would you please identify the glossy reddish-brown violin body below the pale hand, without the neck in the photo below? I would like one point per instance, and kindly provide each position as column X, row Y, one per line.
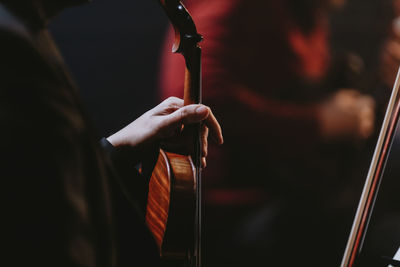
column 171, row 204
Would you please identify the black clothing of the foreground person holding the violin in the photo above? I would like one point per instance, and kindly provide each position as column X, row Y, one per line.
column 64, row 204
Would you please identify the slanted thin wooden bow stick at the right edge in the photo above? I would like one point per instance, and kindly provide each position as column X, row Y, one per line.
column 373, row 181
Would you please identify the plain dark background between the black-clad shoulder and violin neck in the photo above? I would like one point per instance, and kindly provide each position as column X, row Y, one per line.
column 112, row 49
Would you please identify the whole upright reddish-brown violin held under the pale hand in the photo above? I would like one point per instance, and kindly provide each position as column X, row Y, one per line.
column 173, row 212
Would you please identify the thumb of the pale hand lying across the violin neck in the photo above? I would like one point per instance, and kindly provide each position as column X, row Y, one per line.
column 188, row 114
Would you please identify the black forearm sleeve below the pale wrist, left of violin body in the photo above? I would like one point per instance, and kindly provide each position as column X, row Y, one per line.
column 130, row 188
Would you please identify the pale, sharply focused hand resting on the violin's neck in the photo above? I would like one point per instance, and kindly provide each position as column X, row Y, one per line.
column 165, row 122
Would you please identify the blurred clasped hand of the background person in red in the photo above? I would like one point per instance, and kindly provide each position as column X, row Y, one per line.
column 347, row 114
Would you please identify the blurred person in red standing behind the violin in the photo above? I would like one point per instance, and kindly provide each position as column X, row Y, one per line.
column 298, row 126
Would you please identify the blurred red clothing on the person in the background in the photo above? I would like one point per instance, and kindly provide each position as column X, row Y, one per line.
column 257, row 65
